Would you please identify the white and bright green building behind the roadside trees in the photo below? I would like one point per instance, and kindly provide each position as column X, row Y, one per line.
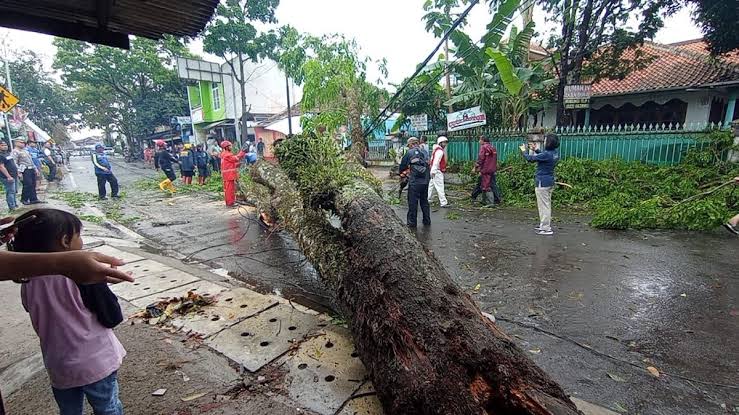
column 215, row 98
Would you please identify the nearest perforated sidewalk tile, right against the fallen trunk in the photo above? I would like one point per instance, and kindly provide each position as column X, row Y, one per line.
column 325, row 371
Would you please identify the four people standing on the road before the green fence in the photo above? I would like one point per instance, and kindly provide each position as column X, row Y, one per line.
column 423, row 174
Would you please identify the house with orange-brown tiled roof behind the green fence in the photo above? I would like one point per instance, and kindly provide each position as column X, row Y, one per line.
column 682, row 85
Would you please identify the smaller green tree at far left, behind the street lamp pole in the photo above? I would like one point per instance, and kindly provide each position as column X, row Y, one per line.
column 42, row 97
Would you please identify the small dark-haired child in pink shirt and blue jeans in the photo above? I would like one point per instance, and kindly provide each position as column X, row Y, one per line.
column 73, row 322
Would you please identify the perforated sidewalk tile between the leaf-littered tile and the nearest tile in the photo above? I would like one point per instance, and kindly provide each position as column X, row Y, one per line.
column 261, row 339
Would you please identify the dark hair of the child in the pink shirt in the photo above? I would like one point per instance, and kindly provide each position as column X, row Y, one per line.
column 43, row 233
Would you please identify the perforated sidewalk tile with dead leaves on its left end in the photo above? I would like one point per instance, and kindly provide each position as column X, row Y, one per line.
column 231, row 307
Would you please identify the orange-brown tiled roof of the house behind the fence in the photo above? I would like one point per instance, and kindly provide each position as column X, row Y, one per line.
column 675, row 66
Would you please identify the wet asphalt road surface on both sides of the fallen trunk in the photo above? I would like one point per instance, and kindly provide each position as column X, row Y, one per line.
column 593, row 308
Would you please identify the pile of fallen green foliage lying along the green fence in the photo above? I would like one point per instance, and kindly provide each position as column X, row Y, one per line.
column 624, row 195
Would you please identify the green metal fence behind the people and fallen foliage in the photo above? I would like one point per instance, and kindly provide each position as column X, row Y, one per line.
column 649, row 144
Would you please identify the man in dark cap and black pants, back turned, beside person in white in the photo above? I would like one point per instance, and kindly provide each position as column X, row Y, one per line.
column 418, row 182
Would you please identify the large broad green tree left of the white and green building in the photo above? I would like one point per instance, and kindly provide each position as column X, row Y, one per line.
column 126, row 91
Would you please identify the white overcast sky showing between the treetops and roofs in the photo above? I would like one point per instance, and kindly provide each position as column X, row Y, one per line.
column 390, row 29
